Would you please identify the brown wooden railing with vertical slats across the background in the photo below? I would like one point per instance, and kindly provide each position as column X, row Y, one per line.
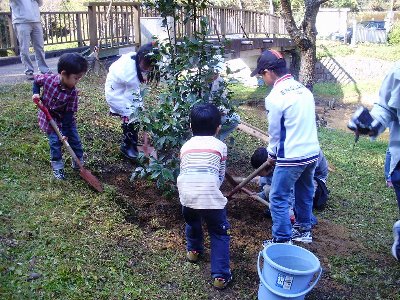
column 119, row 25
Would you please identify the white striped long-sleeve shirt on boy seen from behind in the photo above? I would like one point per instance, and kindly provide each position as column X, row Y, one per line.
column 202, row 171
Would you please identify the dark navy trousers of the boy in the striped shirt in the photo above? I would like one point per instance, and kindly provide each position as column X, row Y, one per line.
column 218, row 229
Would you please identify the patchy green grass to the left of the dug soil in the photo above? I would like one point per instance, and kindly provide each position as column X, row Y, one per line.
column 75, row 238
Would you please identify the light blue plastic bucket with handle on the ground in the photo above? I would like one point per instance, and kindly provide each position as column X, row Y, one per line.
column 287, row 272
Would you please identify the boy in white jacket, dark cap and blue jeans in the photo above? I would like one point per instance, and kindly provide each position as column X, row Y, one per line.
column 293, row 148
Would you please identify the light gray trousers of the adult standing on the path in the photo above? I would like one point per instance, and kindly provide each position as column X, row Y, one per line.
column 27, row 32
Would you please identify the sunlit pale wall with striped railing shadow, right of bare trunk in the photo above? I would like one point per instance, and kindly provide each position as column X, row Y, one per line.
column 350, row 69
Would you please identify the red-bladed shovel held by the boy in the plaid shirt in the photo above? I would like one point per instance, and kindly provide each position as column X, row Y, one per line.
column 85, row 174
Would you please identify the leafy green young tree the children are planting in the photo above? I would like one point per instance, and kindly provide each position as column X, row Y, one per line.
column 187, row 70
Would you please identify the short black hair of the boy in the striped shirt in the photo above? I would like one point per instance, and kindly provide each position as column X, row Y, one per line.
column 205, row 119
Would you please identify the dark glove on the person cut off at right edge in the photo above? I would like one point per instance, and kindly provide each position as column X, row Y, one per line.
column 363, row 123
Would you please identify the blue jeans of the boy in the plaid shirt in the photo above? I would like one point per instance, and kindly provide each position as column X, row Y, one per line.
column 69, row 130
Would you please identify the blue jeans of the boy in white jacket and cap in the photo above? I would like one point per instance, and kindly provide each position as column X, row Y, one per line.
column 284, row 179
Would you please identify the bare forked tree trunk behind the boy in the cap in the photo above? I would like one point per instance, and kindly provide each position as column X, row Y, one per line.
column 304, row 37
